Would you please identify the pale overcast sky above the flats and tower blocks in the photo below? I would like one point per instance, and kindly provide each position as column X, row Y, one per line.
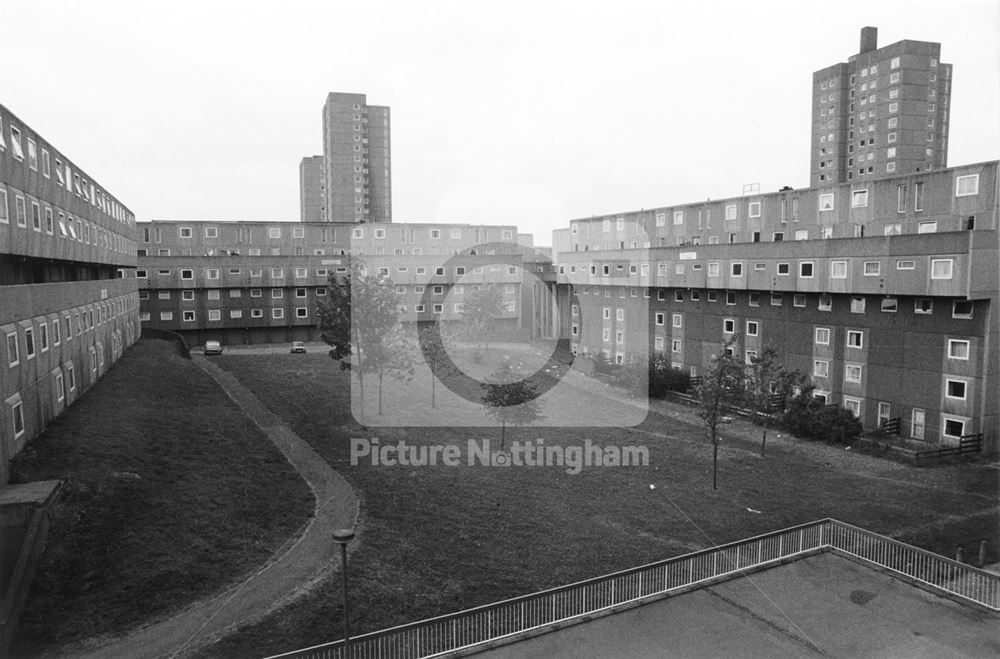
column 503, row 112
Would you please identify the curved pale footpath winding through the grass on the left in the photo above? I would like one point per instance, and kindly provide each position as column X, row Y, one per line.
column 297, row 566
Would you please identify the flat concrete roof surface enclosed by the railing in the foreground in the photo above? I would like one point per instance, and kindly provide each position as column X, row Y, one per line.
column 822, row 605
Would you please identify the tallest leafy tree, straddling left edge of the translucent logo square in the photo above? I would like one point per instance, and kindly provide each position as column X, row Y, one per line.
column 359, row 317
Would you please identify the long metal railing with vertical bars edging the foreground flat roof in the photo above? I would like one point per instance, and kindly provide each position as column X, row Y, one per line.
column 493, row 622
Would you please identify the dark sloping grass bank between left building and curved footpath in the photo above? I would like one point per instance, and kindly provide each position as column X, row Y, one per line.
column 171, row 494
